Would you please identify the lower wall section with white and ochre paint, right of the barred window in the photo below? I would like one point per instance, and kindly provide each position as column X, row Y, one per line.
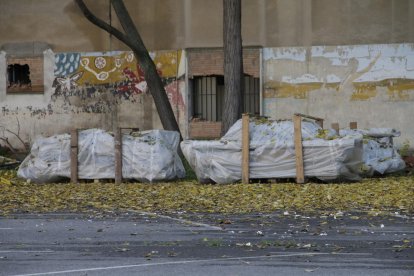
column 370, row 84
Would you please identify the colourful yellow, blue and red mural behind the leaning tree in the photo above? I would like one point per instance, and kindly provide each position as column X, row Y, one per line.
column 89, row 75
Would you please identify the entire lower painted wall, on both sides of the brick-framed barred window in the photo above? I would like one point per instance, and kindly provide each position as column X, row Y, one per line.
column 370, row 84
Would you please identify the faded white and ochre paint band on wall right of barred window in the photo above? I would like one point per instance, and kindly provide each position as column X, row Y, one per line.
column 365, row 70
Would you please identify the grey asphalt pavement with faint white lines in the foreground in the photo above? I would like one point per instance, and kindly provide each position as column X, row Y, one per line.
column 282, row 243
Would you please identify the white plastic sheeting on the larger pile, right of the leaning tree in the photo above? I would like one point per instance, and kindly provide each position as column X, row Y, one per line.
column 272, row 153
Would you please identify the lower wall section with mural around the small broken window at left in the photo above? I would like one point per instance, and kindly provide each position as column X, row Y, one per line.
column 91, row 89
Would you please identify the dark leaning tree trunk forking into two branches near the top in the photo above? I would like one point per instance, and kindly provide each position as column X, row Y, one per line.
column 133, row 40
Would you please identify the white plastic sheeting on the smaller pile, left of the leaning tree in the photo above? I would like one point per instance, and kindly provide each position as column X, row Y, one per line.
column 146, row 156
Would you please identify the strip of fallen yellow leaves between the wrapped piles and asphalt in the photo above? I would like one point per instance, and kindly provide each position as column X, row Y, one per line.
column 385, row 194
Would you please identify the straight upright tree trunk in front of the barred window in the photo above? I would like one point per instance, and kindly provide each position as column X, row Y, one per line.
column 233, row 64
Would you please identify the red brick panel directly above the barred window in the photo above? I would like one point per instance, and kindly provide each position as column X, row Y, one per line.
column 206, row 62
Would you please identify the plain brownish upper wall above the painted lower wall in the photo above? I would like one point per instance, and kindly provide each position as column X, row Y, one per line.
column 181, row 24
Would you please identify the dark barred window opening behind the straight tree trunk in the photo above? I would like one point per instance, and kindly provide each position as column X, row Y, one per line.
column 208, row 97
